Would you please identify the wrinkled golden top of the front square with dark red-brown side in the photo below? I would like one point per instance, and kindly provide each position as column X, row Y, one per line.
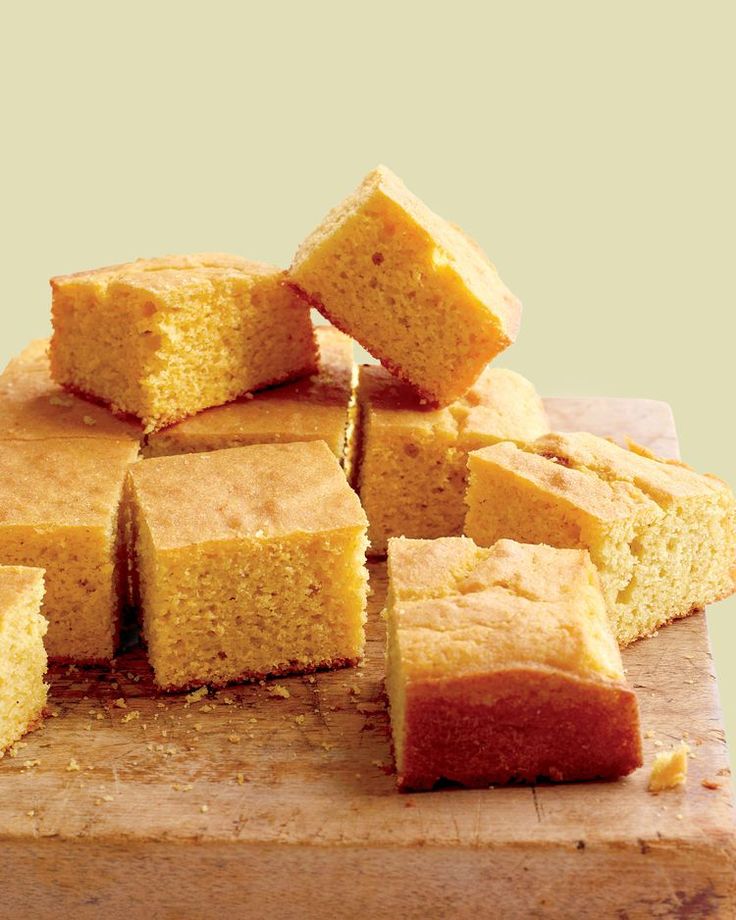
column 510, row 605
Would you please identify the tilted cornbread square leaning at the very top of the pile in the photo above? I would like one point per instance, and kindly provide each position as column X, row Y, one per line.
column 417, row 293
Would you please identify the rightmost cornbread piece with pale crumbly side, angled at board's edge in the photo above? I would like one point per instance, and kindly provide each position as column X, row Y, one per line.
column 662, row 536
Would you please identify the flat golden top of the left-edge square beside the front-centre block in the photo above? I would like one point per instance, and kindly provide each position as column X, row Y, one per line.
column 62, row 483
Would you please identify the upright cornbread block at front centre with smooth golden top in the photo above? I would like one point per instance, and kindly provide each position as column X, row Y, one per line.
column 250, row 561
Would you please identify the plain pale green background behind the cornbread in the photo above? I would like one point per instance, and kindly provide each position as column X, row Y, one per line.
column 588, row 146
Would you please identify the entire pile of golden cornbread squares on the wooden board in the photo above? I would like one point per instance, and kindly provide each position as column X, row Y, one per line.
column 203, row 455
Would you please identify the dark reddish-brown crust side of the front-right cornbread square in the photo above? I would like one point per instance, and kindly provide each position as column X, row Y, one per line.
column 518, row 726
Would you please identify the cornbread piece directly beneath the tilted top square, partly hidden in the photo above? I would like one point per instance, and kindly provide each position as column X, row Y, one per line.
column 411, row 463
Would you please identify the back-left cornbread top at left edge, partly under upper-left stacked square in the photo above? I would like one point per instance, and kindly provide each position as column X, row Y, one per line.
column 33, row 406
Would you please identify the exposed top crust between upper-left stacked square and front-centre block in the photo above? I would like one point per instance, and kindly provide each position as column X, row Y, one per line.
column 292, row 409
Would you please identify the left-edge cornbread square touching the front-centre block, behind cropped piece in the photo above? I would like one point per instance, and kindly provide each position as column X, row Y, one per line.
column 59, row 504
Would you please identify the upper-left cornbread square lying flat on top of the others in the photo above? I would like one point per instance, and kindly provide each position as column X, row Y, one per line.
column 161, row 339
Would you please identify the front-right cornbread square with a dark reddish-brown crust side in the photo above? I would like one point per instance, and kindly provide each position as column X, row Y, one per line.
column 501, row 666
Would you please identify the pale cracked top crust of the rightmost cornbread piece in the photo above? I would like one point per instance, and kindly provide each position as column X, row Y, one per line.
column 596, row 476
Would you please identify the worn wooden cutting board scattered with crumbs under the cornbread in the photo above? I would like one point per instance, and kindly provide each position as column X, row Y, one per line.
column 249, row 804
